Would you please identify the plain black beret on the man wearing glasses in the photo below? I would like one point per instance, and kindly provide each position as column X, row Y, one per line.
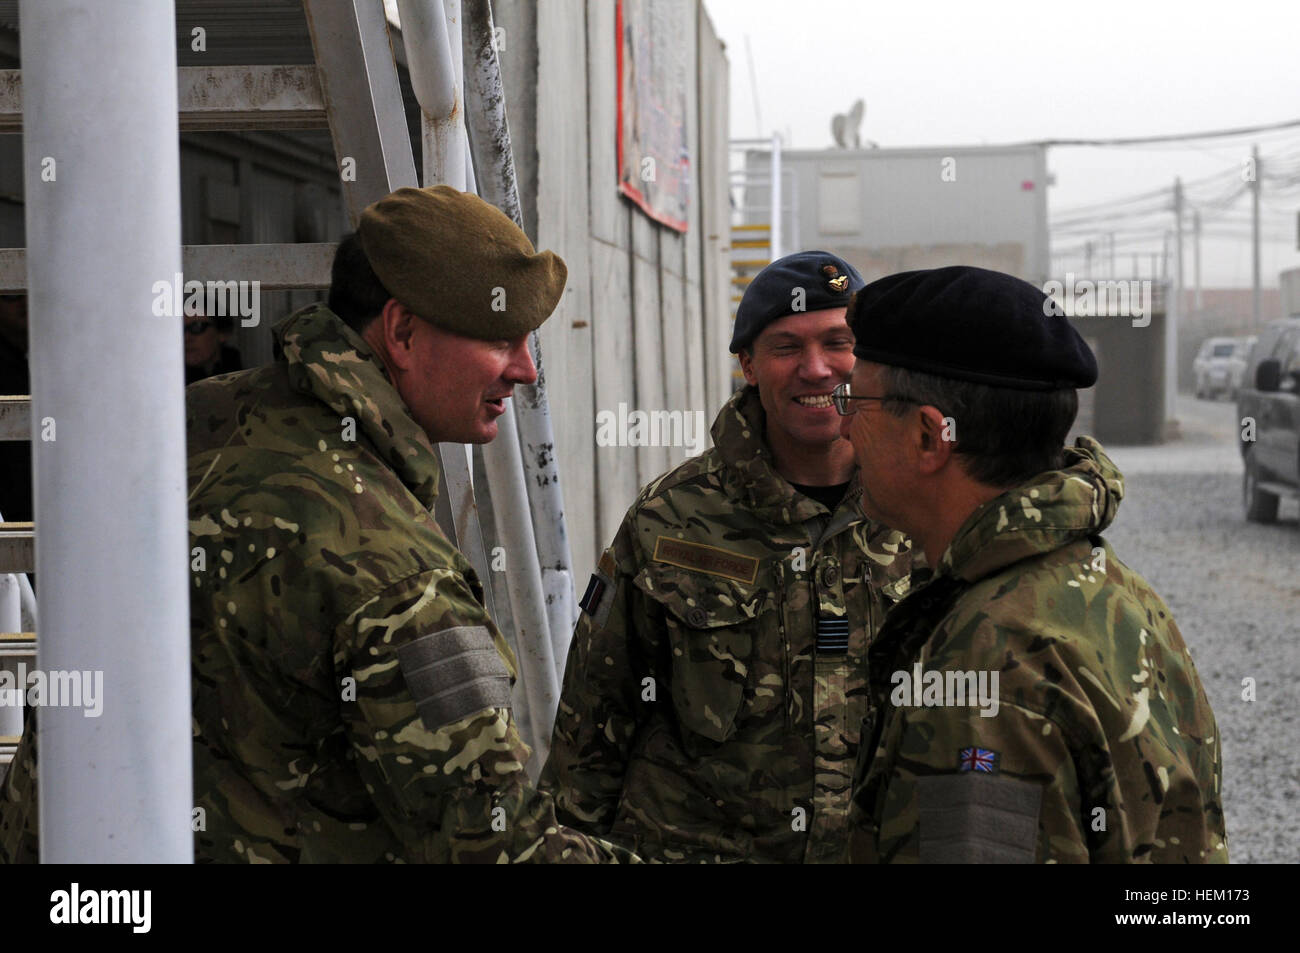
column 970, row 324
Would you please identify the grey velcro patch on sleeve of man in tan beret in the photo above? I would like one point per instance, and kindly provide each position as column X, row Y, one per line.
column 453, row 674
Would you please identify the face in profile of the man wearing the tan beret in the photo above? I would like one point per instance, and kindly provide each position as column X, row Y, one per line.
column 456, row 387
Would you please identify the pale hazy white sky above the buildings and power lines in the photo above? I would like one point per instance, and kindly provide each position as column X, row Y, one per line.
column 948, row 73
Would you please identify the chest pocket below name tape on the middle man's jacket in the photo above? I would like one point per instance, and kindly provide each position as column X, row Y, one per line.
column 714, row 635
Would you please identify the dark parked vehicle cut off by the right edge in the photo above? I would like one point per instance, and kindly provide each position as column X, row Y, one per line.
column 1269, row 410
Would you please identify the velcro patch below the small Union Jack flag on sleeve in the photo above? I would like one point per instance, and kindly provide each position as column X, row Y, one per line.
column 978, row 818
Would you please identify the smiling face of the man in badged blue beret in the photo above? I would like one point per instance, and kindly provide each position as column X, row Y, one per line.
column 796, row 362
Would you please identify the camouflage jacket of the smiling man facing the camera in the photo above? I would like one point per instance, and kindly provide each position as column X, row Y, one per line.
column 717, row 683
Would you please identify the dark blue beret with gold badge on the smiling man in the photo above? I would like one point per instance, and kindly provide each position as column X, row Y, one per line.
column 827, row 281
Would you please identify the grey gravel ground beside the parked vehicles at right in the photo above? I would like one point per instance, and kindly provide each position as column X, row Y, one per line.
column 1234, row 588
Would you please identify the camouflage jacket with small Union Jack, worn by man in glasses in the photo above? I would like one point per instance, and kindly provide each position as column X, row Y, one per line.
column 1097, row 742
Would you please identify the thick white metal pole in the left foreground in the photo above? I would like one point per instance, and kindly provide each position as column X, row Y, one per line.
column 103, row 214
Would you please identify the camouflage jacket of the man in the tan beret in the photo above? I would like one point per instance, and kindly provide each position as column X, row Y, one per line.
column 350, row 692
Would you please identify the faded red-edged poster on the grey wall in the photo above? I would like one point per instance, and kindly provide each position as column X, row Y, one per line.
column 655, row 162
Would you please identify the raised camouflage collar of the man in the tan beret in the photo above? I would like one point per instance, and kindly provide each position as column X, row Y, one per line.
column 333, row 363
